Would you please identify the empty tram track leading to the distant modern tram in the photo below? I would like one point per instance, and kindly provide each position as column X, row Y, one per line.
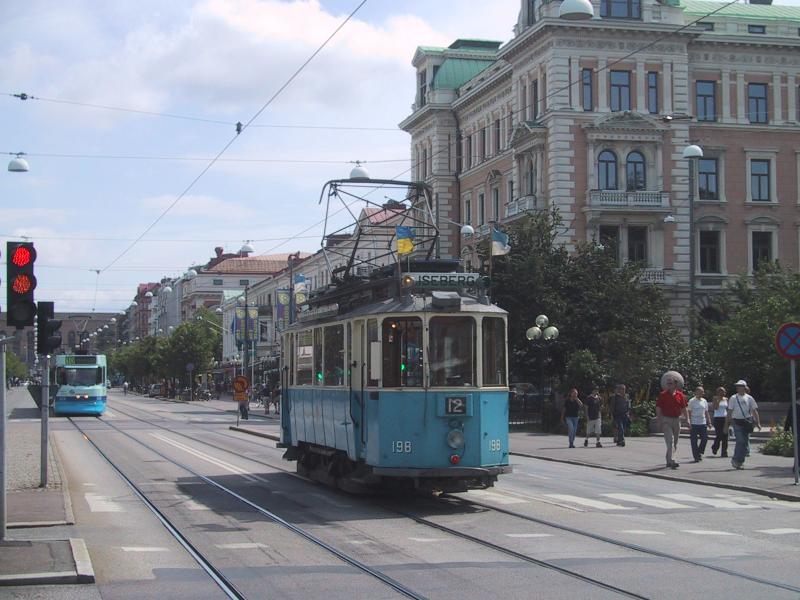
column 219, row 578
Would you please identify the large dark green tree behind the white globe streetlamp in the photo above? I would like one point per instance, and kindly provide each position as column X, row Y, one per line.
column 619, row 324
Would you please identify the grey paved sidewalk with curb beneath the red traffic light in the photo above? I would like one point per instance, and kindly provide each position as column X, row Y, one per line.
column 24, row 559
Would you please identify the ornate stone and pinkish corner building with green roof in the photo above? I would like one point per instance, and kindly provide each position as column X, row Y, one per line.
column 592, row 118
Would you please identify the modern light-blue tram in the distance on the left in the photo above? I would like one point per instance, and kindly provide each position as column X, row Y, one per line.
column 80, row 382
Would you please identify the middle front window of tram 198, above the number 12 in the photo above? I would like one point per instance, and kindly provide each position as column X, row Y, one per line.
column 452, row 351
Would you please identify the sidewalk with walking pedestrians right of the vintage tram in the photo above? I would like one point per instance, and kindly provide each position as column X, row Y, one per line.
column 767, row 475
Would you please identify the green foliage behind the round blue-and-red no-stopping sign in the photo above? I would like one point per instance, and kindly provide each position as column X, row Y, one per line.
column 743, row 343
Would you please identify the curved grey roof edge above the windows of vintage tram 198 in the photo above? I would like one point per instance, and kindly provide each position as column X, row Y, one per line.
column 412, row 304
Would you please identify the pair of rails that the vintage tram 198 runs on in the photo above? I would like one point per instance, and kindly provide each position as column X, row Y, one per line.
column 491, row 545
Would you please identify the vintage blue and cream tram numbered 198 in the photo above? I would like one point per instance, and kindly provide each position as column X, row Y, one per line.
column 399, row 377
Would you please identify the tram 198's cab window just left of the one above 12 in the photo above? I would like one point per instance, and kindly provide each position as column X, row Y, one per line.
column 402, row 352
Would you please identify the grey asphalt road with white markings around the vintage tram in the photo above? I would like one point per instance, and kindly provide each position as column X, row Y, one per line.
column 548, row 530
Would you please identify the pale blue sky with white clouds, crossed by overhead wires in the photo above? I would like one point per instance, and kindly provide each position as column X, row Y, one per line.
column 99, row 178
